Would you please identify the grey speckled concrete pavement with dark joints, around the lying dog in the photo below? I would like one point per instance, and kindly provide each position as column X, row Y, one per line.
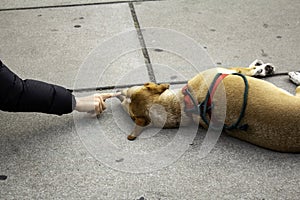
column 50, row 157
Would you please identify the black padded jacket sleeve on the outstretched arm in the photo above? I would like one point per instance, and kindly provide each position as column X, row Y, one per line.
column 17, row 95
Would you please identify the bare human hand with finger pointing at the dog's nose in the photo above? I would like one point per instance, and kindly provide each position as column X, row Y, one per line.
column 94, row 104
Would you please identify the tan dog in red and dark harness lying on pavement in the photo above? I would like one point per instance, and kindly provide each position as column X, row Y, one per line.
column 271, row 117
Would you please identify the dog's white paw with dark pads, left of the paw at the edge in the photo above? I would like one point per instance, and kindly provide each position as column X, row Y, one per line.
column 262, row 69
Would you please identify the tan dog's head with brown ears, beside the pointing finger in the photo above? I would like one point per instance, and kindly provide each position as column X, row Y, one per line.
column 137, row 101
